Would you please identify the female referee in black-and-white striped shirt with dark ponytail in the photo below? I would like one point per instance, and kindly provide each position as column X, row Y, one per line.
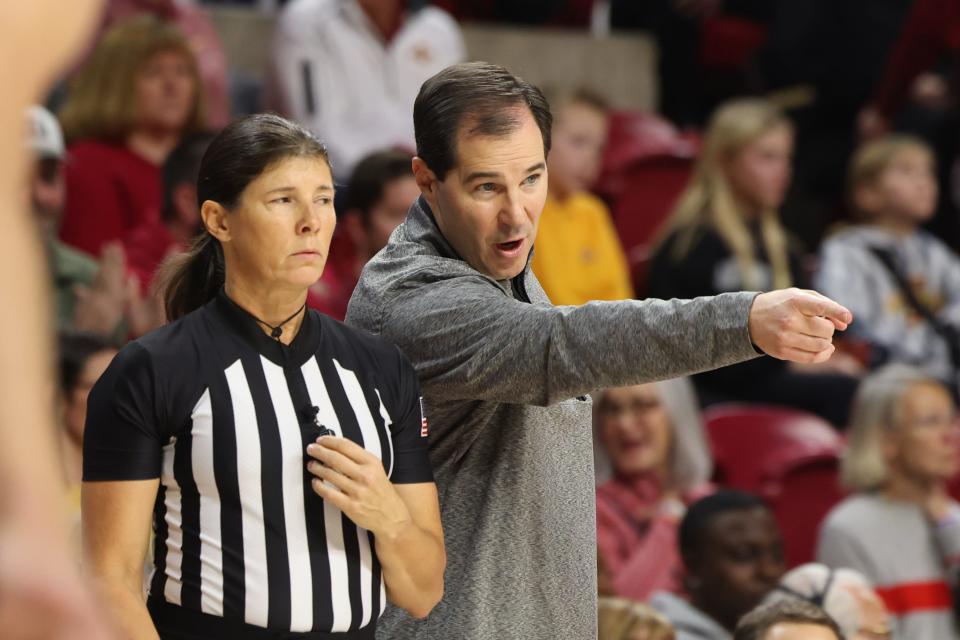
column 280, row 455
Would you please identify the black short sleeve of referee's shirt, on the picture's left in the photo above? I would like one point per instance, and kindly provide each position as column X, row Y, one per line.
column 122, row 439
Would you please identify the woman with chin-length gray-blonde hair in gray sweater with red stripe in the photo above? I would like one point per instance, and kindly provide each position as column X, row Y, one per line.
column 900, row 528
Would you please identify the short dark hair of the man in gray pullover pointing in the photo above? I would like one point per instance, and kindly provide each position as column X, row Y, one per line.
column 480, row 94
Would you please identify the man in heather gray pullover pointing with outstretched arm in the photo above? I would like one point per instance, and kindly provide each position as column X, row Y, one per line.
column 505, row 374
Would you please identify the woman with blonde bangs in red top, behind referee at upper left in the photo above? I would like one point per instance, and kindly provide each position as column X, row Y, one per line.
column 128, row 107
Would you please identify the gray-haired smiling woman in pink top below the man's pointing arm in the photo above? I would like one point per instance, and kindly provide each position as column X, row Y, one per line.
column 652, row 460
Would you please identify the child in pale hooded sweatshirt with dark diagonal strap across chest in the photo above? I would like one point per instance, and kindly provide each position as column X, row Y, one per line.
column 901, row 283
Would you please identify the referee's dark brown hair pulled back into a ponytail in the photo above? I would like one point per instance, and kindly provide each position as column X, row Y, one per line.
column 234, row 159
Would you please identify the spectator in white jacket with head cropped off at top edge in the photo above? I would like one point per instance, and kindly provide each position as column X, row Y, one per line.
column 350, row 69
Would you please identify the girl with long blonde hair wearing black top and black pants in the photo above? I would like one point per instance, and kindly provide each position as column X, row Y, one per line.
column 725, row 235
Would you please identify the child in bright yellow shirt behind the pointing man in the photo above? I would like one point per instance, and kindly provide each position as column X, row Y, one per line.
column 578, row 257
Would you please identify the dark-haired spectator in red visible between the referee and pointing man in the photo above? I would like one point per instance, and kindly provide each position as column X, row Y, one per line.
column 379, row 194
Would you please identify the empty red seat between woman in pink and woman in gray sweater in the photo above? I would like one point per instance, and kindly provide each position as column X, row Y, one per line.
column 788, row 457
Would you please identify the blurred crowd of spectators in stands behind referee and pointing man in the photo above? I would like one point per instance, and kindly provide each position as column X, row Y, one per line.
column 797, row 144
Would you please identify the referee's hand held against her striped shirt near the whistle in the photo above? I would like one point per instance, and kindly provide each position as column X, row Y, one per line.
column 352, row 479
